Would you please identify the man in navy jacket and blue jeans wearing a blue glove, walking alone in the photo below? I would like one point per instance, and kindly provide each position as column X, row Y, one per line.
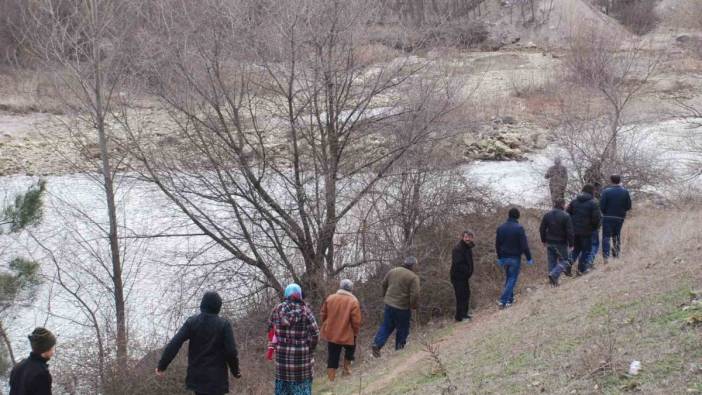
column 510, row 244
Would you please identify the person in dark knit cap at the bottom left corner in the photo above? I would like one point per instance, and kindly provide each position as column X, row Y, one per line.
column 31, row 376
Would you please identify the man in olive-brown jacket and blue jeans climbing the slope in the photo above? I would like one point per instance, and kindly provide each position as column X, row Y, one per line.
column 400, row 295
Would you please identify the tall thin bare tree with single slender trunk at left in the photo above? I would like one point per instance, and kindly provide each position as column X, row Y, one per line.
column 85, row 43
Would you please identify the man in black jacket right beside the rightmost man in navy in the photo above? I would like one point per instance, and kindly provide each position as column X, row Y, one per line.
column 586, row 216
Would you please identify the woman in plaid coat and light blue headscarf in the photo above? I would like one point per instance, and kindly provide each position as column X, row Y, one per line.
column 297, row 336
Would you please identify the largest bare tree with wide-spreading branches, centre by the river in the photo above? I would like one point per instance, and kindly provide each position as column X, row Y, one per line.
column 283, row 127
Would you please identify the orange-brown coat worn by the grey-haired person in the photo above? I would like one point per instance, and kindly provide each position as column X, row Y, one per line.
column 341, row 318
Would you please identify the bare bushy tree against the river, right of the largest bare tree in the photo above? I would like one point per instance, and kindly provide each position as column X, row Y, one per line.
column 423, row 191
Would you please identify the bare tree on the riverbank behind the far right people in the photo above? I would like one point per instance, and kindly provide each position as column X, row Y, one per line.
column 605, row 75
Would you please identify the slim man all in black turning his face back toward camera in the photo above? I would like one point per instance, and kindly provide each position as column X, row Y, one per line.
column 461, row 271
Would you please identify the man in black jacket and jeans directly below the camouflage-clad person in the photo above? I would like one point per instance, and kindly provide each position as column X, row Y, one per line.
column 557, row 234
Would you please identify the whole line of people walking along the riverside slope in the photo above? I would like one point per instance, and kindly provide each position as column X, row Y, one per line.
column 570, row 234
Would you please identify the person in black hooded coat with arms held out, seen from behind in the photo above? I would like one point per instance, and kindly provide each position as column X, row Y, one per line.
column 210, row 351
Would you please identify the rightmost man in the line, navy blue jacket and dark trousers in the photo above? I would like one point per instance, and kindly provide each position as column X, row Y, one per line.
column 614, row 204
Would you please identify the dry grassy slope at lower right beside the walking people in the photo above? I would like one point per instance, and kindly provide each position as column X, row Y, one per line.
column 578, row 338
